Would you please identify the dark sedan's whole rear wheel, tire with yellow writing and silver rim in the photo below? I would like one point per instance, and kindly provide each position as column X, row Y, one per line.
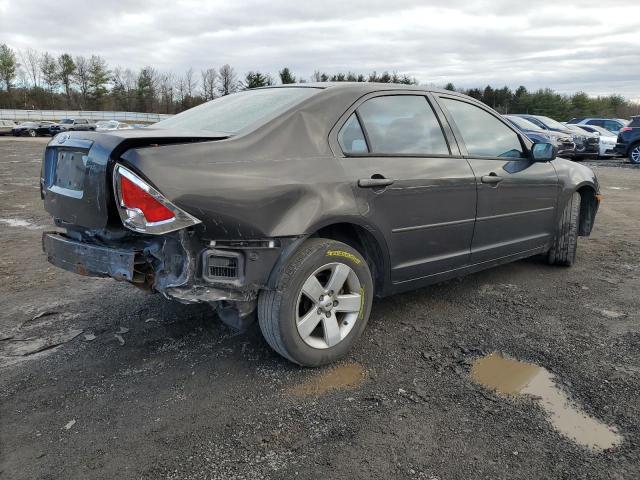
column 320, row 304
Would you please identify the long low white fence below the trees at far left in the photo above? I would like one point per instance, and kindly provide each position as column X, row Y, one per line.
column 55, row 115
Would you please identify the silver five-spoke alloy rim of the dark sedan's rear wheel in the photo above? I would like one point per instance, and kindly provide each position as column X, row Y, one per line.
column 328, row 305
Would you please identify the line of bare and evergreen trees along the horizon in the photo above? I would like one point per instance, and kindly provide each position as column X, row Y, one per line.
column 31, row 79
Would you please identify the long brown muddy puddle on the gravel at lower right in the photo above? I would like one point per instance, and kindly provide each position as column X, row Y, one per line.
column 508, row 376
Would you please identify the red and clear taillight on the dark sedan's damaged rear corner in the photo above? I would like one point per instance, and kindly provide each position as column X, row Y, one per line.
column 143, row 209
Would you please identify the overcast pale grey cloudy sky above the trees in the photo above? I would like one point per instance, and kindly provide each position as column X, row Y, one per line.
column 568, row 45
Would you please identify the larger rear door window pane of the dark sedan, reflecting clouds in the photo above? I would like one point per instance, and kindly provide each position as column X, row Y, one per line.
column 402, row 124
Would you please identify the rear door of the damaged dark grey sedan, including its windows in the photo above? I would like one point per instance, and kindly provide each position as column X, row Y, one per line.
column 411, row 182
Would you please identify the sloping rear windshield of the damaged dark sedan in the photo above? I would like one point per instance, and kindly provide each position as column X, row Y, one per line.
column 232, row 113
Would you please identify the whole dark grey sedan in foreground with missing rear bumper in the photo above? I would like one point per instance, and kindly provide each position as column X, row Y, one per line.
column 301, row 203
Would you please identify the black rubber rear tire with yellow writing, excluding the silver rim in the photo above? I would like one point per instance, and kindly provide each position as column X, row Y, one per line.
column 278, row 308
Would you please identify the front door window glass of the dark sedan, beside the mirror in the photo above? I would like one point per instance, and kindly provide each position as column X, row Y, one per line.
column 483, row 134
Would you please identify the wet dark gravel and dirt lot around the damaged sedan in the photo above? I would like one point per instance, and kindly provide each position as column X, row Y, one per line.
column 140, row 387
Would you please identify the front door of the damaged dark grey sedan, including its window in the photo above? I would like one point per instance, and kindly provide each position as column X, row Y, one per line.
column 516, row 196
